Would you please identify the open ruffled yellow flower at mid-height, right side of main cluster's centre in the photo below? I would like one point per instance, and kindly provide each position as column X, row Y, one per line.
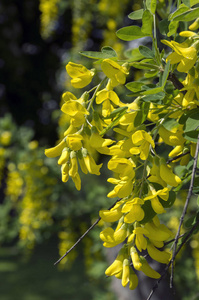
column 142, row 142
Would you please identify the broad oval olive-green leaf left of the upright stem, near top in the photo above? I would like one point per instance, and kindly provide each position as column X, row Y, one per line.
column 130, row 33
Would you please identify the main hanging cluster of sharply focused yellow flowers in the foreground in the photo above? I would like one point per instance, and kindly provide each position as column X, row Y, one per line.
column 89, row 118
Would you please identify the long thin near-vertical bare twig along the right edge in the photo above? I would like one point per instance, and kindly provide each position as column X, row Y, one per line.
column 184, row 212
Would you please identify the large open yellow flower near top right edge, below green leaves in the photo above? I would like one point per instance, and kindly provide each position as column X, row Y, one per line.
column 185, row 54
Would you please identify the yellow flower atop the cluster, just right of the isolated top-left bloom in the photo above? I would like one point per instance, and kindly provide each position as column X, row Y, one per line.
column 114, row 71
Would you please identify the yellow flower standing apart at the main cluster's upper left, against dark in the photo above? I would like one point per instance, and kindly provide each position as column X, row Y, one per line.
column 80, row 75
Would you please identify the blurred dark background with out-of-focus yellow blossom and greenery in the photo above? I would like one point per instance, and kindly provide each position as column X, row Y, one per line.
column 41, row 217
